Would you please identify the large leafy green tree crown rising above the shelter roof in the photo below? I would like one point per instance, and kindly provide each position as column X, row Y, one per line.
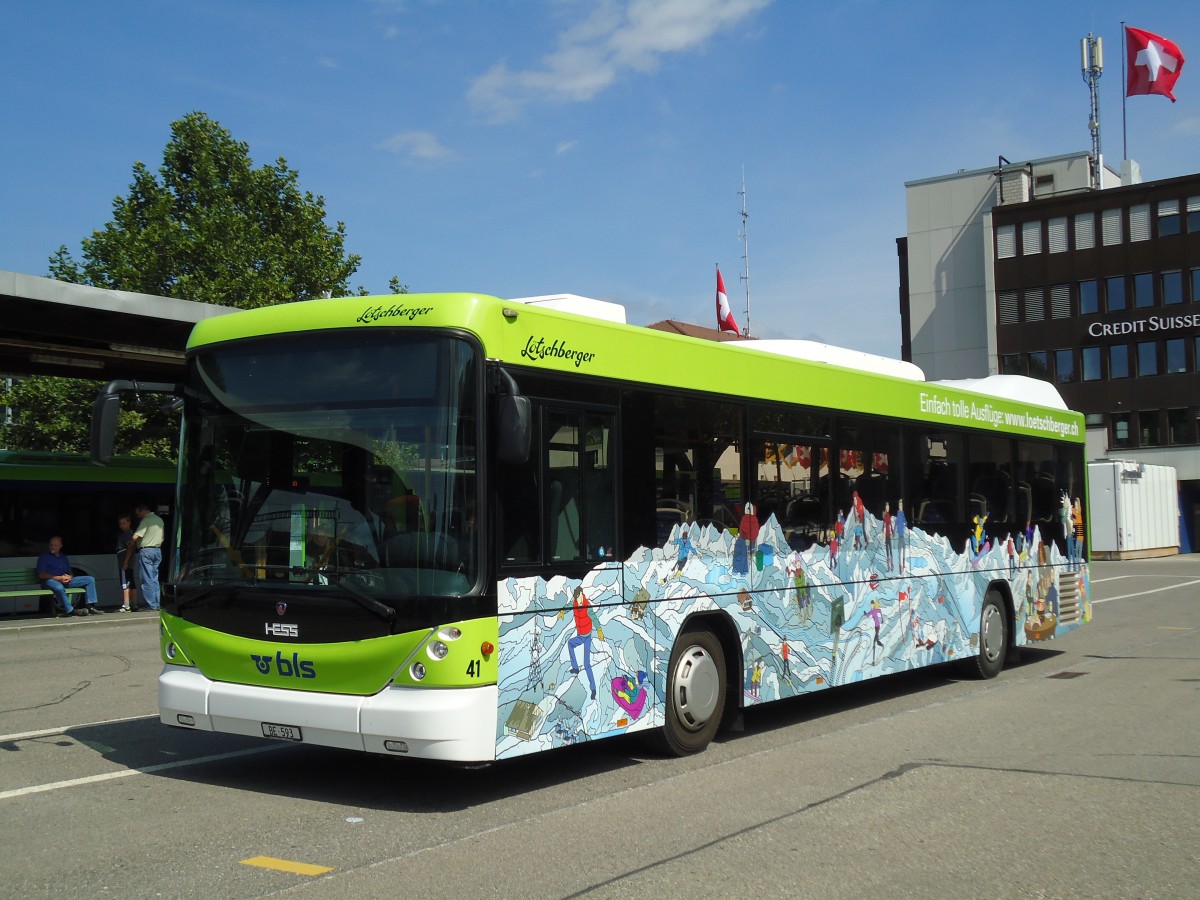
column 212, row 227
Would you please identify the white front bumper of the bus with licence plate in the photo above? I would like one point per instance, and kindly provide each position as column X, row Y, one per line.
column 457, row 725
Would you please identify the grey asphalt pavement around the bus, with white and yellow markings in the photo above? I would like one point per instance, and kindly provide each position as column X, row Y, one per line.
column 1076, row 773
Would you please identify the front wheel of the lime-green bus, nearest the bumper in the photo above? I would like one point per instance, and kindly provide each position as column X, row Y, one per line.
column 697, row 692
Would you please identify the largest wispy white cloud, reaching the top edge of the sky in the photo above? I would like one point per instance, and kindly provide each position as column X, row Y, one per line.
column 614, row 40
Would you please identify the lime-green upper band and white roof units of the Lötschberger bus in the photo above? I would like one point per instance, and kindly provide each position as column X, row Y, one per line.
column 572, row 335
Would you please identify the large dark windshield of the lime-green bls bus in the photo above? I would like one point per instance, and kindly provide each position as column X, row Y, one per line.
column 341, row 460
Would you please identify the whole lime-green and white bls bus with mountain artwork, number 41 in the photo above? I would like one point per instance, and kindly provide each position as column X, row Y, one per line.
column 457, row 527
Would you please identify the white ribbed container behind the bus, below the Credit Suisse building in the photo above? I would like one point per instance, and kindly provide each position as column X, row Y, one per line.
column 1135, row 509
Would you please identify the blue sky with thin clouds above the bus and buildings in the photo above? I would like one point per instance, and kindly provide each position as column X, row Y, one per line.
column 593, row 148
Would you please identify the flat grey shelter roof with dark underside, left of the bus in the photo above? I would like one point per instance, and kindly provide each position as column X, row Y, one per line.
column 56, row 328
